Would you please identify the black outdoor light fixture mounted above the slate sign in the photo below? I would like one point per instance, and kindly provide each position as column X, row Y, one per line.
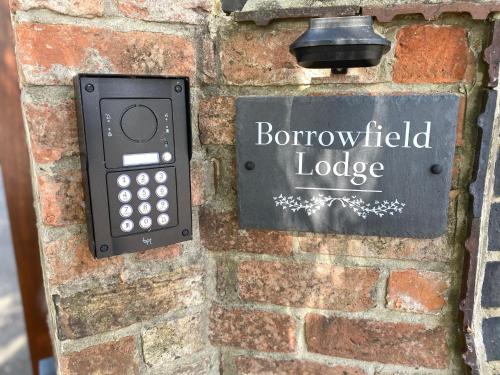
column 339, row 43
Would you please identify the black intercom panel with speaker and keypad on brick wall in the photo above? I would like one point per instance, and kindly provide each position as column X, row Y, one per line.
column 135, row 144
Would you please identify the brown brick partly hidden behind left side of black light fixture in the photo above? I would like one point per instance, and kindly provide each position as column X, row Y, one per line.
column 259, row 57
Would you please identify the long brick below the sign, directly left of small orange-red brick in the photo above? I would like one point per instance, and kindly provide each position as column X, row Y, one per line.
column 308, row 285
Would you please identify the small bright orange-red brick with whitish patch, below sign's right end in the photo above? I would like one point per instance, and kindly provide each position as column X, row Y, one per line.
column 417, row 291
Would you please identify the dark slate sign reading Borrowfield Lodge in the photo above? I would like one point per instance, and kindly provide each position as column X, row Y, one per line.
column 370, row 165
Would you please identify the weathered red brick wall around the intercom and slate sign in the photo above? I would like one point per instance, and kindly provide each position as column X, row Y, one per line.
column 233, row 301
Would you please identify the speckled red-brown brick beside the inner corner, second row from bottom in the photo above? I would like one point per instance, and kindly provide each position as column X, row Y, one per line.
column 258, row 330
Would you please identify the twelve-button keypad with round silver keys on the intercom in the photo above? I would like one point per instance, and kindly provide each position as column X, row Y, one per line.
column 142, row 200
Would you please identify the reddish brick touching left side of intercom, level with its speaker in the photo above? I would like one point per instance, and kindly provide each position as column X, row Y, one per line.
column 52, row 130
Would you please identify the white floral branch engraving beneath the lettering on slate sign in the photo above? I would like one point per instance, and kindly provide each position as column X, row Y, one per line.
column 358, row 205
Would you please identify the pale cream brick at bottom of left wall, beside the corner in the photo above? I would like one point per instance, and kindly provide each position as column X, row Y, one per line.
column 173, row 341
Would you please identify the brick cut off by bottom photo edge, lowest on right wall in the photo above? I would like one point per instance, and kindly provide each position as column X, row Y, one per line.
column 260, row 366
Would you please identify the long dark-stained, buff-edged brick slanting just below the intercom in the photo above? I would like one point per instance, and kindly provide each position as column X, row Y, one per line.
column 121, row 304
